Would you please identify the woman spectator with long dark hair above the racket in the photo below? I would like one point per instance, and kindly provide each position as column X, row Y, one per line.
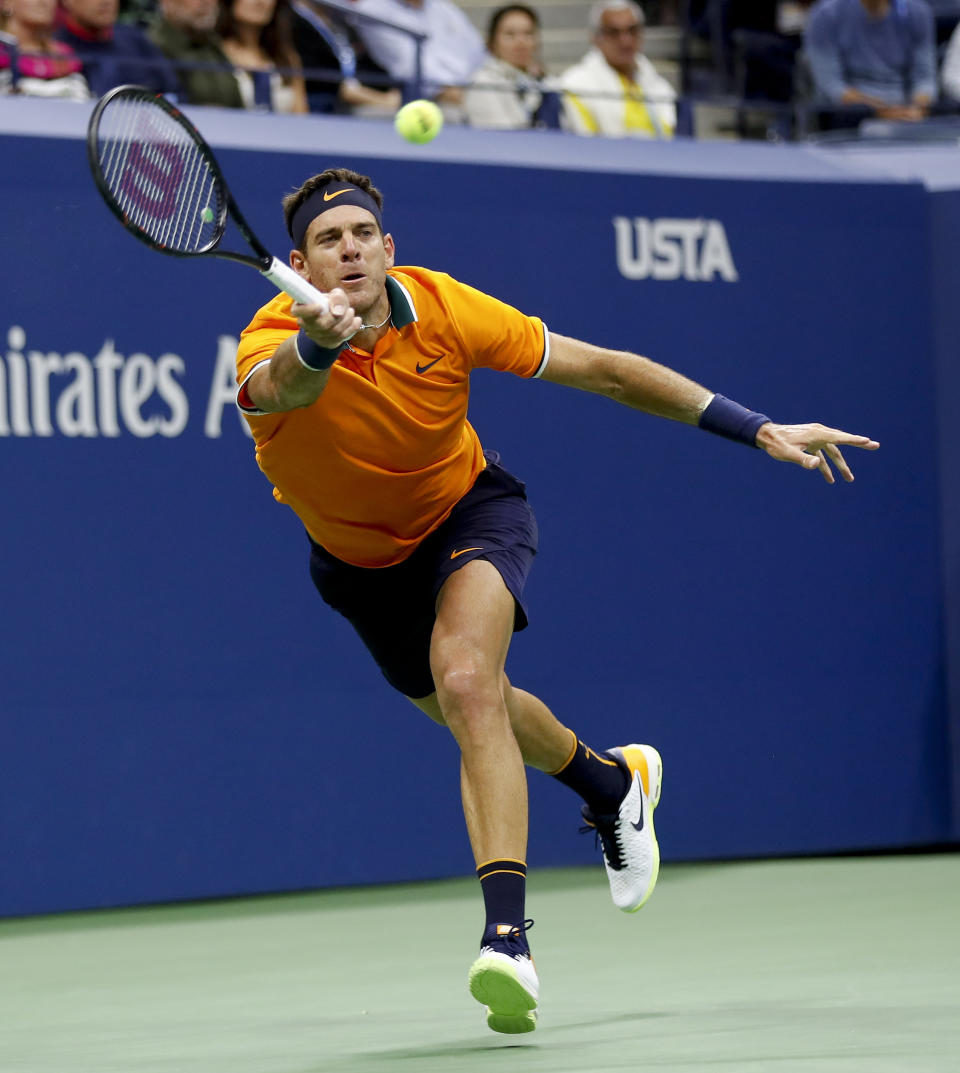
column 258, row 40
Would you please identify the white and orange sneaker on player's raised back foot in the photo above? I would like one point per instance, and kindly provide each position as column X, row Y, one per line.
column 630, row 850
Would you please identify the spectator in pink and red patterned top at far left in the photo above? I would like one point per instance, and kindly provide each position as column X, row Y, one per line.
column 35, row 64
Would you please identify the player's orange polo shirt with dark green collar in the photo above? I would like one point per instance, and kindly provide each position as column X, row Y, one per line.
column 381, row 459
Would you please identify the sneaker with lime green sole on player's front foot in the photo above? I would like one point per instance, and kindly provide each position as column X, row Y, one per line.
column 505, row 979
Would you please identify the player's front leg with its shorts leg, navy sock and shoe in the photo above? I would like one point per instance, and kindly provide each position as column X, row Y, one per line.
column 483, row 557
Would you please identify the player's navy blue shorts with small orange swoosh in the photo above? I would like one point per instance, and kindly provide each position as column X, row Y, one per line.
column 394, row 609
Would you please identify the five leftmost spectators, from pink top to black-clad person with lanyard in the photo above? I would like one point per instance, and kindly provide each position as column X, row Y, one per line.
column 273, row 55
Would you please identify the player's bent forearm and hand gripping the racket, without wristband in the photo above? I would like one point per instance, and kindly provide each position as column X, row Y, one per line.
column 287, row 384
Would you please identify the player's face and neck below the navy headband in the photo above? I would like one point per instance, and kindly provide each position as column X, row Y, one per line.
column 345, row 248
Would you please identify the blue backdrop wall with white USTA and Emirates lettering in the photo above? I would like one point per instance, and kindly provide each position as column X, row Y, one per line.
column 181, row 715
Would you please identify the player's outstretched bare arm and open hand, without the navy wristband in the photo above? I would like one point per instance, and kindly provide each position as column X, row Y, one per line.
column 641, row 384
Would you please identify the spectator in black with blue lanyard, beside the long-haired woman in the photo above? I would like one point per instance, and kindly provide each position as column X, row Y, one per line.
column 327, row 46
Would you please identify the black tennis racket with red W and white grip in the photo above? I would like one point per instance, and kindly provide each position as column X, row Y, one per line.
column 163, row 182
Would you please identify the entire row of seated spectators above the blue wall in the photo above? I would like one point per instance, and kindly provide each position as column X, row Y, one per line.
column 863, row 58
